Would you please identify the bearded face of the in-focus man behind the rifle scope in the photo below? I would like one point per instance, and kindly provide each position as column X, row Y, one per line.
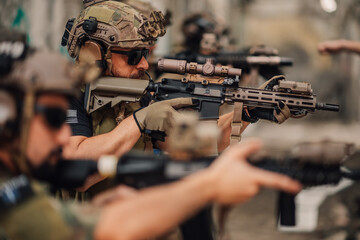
column 121, row 67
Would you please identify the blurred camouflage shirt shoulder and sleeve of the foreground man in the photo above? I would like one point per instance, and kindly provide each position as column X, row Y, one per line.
column 28, row 212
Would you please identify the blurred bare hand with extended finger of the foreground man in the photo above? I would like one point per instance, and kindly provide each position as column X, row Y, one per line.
column 235, row 180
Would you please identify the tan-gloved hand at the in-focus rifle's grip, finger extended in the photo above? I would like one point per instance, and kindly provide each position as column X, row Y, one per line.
column 160, row 115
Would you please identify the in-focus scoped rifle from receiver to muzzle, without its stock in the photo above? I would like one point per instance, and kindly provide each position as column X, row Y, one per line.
column 298, row 96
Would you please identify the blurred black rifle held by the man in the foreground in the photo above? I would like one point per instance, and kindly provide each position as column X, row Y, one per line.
column 312, row 164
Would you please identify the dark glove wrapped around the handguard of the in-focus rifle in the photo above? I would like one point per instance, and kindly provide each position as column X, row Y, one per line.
column 281, row 112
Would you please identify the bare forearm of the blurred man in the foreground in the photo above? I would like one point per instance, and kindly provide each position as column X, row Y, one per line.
column 139, row 217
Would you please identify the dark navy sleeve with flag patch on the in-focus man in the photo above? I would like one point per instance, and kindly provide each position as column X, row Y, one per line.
column 79, row 121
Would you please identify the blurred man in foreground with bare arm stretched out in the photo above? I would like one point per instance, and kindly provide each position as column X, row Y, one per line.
column 33, row 103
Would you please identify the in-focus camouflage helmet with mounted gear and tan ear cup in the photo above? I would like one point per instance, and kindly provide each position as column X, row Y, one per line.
column 106, row 24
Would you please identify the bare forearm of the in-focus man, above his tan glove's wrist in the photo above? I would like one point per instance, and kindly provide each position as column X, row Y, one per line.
column 119, row 141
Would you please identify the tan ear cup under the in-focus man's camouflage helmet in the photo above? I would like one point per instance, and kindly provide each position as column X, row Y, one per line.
column 93, row 53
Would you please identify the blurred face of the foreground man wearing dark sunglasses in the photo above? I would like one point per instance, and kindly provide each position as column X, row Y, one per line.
column 47, row 131
